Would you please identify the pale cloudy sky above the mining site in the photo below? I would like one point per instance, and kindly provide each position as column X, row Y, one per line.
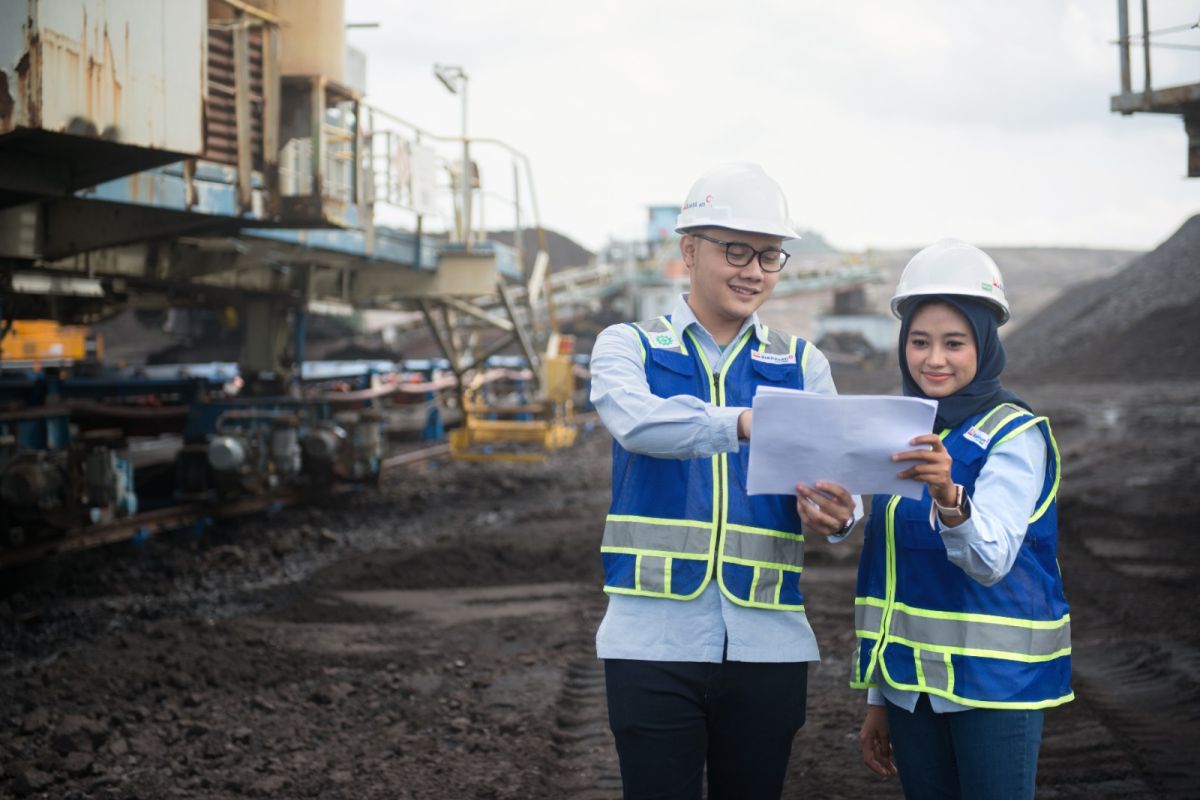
column 887, row 124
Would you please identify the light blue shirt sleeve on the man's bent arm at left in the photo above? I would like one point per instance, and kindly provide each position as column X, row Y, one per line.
column 665, row 428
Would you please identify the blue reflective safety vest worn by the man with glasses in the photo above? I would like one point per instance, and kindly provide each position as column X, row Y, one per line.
column 676, row 524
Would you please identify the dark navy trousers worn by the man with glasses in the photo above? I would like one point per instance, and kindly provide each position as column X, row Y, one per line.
column 673, row 719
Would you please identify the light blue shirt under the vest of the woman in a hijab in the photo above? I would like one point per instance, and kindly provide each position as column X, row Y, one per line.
column 986, row 545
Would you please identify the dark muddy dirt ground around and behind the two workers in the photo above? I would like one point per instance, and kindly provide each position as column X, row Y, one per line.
column 435, row 639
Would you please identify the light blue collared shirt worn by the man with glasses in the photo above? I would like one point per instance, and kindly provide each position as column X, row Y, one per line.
column 650, row 629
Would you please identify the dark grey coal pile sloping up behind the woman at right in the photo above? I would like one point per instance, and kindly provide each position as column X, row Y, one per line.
column 1141, row 324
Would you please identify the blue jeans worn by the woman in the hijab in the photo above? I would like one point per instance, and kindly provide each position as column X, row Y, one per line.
column 980, row 755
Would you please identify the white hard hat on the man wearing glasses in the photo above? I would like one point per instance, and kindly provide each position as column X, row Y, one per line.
column 739, row 197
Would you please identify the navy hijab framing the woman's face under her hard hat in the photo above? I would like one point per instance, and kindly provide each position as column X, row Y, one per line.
column 986, row 390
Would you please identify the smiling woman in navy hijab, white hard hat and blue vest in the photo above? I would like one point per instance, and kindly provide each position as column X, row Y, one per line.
column 964, row 633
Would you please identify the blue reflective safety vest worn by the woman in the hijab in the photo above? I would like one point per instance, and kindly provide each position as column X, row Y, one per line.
column 925, row 625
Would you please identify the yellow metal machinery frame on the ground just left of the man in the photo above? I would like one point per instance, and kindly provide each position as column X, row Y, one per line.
column 527, row 432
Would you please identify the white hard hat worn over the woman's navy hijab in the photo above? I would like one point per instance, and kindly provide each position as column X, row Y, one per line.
column 952, row 267
